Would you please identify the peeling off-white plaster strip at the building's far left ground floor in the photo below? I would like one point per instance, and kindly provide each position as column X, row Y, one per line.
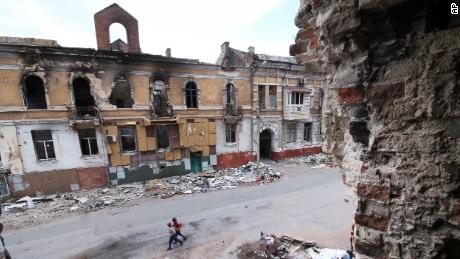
column 9, row 150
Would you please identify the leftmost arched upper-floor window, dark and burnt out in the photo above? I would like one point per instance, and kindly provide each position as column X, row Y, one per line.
column 34, row 93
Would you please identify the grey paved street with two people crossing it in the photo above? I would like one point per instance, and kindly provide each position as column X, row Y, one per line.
column 306, row 203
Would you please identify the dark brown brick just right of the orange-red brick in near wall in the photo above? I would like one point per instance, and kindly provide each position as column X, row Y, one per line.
column 378, row 94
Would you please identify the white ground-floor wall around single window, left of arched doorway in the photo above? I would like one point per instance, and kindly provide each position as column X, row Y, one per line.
column 243, row 137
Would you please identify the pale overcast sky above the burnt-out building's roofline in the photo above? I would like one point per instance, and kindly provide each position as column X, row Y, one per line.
column 191, row 28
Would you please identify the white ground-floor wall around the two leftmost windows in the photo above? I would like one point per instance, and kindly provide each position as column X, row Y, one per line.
column 66, row 147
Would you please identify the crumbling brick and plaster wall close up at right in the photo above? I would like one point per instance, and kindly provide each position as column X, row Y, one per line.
column 391, row 117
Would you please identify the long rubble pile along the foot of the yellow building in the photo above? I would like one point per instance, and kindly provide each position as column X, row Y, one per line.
column 31, row 210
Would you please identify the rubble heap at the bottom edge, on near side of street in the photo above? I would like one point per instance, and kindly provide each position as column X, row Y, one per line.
column 284, row 247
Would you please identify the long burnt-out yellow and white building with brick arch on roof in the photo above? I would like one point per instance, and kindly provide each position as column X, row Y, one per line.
column 77, row 118
